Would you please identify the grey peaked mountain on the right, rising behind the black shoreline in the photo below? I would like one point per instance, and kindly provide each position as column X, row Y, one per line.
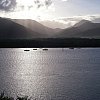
column 82, row 29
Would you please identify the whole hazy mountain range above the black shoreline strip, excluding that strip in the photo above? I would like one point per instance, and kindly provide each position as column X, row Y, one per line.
column 21, row 28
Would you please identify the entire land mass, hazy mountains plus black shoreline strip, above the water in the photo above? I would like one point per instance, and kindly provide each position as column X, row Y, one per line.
column 27, row 33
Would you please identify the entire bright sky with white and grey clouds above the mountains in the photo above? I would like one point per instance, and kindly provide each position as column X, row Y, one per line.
column 60, row 11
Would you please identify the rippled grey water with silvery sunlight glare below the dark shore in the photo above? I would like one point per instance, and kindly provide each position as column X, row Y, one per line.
column 56, row 74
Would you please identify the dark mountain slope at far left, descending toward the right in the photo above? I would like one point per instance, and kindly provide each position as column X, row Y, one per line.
column 10, row 29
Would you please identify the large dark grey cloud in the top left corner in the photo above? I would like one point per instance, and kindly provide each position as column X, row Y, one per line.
column 7, row 5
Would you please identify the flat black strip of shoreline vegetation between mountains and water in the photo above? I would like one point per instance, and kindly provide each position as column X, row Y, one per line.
column 50, row 43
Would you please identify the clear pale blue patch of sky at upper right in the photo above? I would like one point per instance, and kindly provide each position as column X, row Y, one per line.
column 69, row 8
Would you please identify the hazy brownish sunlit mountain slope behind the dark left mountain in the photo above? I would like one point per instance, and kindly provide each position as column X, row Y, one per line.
column 35, row 26
